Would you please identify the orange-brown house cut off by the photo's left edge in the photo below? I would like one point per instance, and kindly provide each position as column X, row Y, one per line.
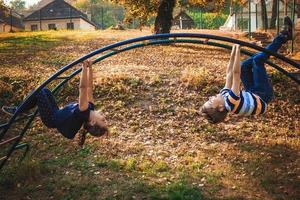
column 10, row 21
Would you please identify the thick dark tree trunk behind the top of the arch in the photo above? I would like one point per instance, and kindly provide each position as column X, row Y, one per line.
column 163, row 21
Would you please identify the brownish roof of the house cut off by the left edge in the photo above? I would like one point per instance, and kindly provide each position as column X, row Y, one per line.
column 10, row 17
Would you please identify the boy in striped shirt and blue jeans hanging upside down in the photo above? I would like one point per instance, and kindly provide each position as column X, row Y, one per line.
column 257, row 89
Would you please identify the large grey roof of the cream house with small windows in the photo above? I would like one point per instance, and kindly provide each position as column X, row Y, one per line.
column 56, row 9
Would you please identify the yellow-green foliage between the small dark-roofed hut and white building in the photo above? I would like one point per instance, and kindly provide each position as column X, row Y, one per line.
column 207, row 20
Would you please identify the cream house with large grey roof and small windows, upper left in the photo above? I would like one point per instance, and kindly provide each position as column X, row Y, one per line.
column 58, row 15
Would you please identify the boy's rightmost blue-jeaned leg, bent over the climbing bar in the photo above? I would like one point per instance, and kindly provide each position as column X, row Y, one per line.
column 262, row 86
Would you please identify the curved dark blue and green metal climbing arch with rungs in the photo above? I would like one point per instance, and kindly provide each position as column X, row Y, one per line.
column 113, row 49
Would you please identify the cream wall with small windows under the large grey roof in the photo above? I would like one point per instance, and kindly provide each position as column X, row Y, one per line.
column 60, row 24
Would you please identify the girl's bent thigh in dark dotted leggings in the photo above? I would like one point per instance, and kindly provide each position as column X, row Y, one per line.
column 47, row 107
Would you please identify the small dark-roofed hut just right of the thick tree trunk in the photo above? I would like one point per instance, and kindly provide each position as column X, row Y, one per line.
column 182, row 21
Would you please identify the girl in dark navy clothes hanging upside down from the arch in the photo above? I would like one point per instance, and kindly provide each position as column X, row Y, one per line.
column 69, row 119
